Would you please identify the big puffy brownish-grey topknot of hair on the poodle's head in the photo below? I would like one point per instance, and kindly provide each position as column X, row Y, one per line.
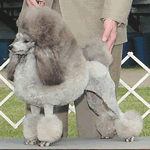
column 44, row 26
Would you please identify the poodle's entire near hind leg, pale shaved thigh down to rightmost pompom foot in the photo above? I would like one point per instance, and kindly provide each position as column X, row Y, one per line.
column 127, row 125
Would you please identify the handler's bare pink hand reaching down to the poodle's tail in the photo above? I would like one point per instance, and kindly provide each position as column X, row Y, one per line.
column 110, row 33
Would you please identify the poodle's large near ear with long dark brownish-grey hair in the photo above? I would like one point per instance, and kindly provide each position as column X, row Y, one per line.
column 49, row 69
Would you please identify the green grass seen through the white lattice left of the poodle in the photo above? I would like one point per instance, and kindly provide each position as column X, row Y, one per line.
column 15, row 110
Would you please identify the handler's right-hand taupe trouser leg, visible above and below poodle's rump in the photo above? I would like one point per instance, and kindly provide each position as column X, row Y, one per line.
column 86, row 118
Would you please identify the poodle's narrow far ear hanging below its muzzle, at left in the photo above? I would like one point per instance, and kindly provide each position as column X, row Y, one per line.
column 14, row 61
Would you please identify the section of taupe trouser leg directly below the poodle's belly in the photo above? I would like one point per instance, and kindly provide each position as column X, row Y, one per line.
column 86, row 119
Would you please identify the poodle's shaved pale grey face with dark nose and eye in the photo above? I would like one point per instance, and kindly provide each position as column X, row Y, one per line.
column 21, row 45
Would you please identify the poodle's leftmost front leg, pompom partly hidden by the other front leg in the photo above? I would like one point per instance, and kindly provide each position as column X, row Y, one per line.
column 30, row 126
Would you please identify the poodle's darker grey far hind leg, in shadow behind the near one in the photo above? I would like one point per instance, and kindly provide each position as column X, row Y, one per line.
column 105, row 121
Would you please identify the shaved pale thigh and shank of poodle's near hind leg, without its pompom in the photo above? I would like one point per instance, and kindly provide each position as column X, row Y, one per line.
column 103, row 86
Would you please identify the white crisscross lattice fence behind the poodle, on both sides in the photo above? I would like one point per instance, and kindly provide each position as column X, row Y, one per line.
column 72, row 108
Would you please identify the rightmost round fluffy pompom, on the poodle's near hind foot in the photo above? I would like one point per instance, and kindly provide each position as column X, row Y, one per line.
column 130, row 124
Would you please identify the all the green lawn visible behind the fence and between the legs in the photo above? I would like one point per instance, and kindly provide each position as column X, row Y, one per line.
column 15, row 110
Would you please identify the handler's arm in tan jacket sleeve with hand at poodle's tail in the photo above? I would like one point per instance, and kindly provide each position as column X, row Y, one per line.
column 114, row 11
